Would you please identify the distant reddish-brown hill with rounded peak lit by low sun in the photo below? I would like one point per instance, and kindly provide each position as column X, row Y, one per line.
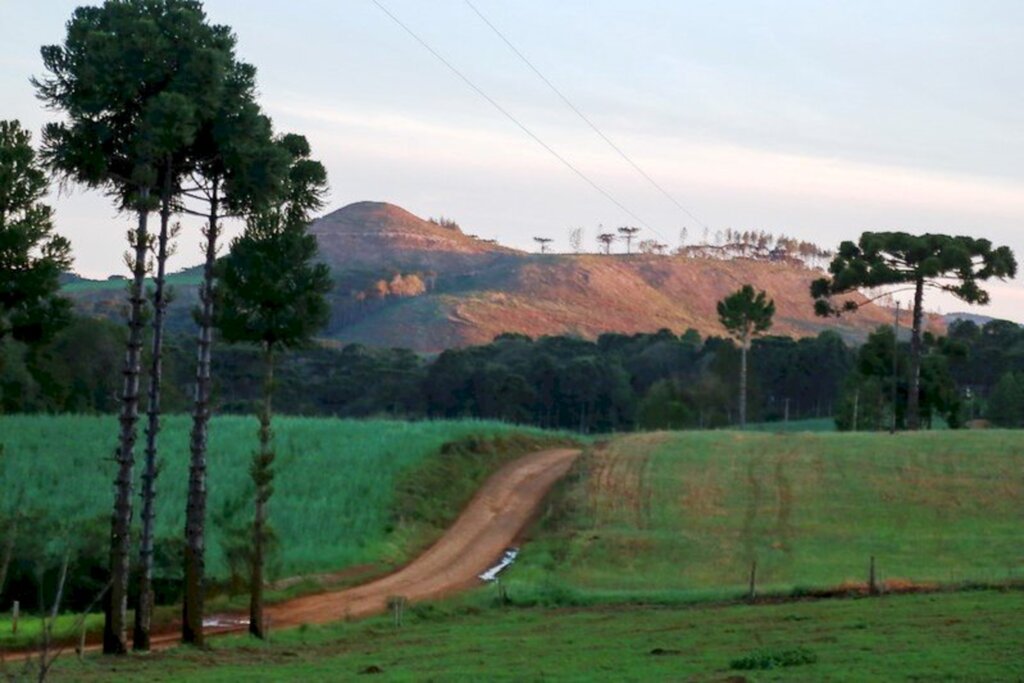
column 403, row 281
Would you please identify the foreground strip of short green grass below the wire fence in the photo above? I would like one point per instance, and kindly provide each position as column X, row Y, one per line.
column 954, row 637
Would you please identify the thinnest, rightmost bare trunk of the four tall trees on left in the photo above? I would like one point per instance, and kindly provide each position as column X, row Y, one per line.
column 263, row 475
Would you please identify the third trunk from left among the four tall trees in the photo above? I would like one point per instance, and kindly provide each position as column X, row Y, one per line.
column 195, row 565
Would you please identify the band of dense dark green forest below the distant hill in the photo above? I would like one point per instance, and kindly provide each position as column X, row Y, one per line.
column 616, row 383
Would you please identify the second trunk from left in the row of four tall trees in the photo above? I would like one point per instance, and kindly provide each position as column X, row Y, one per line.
column 144, row 609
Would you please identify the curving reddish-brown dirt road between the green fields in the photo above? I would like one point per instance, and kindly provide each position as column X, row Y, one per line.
column 492, row 522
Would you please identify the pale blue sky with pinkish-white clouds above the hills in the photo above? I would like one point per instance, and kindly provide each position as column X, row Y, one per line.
column 817, row 119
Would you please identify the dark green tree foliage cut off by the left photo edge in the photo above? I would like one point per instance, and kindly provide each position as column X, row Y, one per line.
column 32, row 258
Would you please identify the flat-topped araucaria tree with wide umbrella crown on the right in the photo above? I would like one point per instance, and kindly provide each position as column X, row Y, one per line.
column 953, row 265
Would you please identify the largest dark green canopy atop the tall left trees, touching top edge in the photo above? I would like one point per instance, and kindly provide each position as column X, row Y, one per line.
column 136, row 81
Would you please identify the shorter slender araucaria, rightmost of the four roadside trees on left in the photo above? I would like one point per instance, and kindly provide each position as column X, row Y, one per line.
column 273, row 294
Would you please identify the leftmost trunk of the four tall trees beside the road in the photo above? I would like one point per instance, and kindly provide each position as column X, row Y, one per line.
column 116, row 617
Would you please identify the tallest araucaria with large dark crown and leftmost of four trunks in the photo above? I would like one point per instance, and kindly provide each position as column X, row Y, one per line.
column 136, row 80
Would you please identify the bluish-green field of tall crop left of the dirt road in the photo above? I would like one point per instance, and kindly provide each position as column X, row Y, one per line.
column 334, row 493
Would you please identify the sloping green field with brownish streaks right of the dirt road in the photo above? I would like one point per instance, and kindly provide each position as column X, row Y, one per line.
column 679, row 517
